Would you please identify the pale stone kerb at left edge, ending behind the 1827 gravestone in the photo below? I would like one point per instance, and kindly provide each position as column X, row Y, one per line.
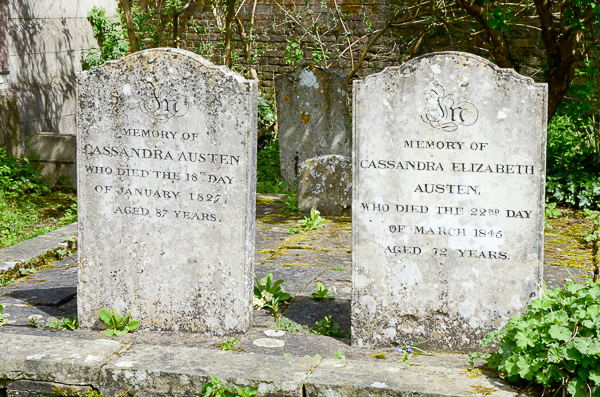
column 36, row 247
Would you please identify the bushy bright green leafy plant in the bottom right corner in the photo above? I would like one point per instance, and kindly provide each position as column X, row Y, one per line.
column 556, row 343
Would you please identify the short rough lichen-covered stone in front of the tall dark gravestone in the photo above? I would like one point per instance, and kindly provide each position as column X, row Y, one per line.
column 325, row 183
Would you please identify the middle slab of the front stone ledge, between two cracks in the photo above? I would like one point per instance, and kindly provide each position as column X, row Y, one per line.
column 158, row 371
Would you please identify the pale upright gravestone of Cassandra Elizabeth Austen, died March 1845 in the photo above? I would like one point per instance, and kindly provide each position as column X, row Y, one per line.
column 448, row 210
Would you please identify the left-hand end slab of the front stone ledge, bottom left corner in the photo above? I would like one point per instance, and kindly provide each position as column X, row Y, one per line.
column 54, row 359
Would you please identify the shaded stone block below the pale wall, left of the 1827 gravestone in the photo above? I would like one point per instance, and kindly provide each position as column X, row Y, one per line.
column 57, row 154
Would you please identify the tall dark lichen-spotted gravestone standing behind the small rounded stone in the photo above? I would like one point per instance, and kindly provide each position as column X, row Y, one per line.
column 312, row 117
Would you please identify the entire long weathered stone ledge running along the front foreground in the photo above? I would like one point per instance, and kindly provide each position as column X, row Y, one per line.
column 150, row 370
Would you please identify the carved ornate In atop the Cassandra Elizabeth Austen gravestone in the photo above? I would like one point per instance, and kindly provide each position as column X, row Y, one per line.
column 447, row 112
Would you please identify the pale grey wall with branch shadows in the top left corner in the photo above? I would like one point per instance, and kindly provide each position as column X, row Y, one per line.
column 45, row 40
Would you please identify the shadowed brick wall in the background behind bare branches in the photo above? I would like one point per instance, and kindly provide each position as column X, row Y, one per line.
column 273, row 33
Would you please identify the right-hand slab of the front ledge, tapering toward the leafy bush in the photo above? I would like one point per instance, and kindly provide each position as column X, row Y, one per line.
column 358, row 378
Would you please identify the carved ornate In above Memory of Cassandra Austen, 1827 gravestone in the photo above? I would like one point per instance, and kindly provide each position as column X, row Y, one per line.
column 163, row 104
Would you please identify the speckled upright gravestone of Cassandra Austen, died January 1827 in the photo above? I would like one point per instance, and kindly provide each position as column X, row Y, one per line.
column 166, row 184
